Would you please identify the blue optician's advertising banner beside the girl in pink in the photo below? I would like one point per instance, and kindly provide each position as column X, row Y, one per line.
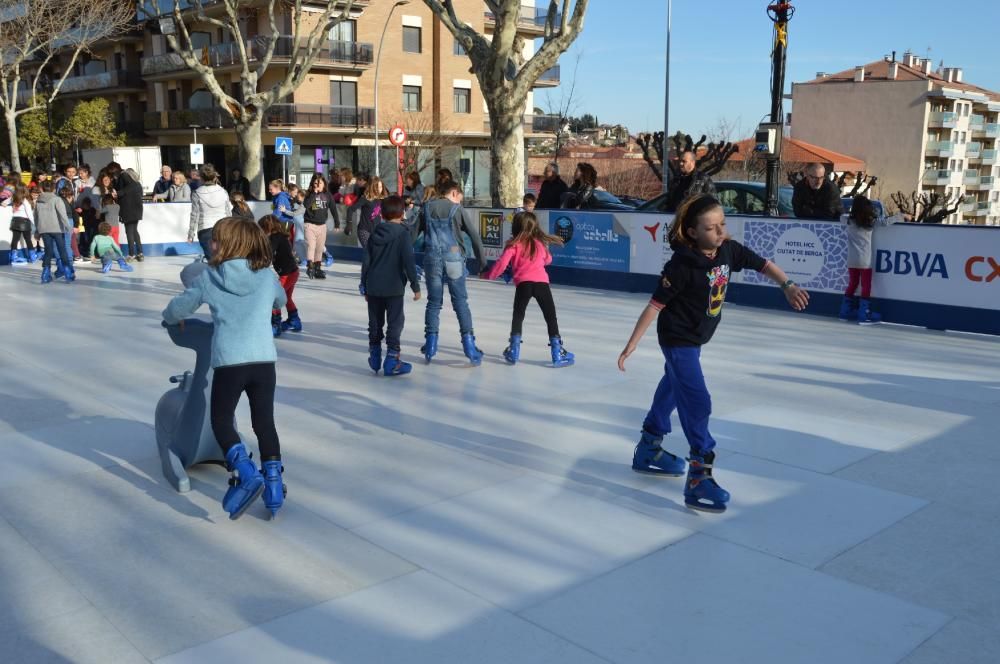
column 593, row 241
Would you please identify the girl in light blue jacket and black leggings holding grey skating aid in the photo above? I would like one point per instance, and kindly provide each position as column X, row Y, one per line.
column 241, row 290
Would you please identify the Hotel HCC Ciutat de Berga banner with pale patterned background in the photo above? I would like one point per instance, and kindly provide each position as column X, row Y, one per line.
column 812, row 253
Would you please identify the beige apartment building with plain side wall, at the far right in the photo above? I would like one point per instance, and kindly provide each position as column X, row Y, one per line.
column 918, row 129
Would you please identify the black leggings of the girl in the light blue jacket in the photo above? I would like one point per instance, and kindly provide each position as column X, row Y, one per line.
column 228, row 384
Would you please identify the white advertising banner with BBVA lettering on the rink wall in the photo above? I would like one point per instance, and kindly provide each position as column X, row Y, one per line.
column 938, row 264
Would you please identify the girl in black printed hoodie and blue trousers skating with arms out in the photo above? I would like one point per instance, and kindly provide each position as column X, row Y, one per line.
column 687, row 307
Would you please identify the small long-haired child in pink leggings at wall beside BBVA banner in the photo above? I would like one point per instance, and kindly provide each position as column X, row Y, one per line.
column 860, row 226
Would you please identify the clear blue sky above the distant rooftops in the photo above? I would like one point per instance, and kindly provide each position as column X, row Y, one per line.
column 720, row 53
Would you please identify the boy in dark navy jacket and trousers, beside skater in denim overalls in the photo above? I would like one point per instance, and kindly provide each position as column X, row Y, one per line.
column 387, row 265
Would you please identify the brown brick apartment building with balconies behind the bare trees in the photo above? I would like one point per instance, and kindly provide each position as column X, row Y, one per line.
column 424, row 84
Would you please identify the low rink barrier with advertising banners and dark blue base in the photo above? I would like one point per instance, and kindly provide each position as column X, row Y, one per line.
column 939, row 277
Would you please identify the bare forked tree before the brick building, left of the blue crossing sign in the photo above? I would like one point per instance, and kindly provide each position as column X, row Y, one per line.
column 309, row 30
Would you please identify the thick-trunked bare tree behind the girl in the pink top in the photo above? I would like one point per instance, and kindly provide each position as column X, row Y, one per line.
column 506, row 78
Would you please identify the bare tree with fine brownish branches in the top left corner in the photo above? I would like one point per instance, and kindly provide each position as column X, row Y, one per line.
column 39, row 36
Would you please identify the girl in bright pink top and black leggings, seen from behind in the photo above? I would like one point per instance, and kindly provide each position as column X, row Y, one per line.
column 527, row 254
